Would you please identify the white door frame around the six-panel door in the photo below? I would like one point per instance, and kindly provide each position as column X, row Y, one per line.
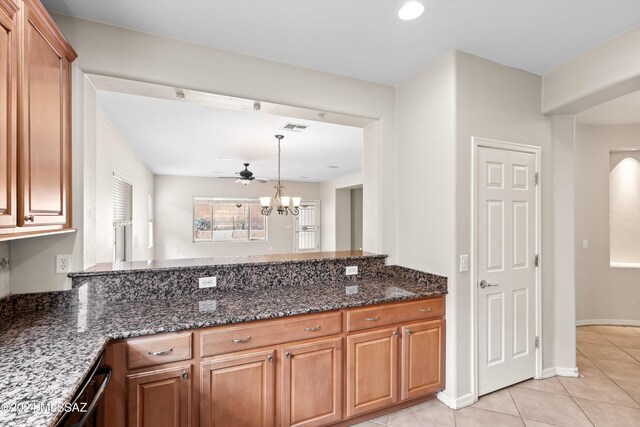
column 477, row 143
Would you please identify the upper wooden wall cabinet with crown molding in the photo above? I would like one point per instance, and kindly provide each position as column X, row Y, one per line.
column 35, row 191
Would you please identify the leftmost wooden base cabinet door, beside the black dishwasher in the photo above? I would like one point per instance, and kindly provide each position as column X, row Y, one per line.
column 160, row 398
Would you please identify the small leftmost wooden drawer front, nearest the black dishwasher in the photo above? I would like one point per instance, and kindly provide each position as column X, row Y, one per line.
column 159, row 349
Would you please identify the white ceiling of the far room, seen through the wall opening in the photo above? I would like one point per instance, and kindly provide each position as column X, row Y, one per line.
column 180, row 138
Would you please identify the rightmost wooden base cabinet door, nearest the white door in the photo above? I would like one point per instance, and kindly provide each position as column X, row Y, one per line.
column 422, row 359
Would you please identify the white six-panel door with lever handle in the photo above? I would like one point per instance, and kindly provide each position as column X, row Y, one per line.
column 506, row 271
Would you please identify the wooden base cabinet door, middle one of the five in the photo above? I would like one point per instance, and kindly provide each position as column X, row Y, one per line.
column 312, row 383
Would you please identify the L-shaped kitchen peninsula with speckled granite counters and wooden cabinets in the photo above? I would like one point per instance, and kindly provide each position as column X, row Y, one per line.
column 280, row 340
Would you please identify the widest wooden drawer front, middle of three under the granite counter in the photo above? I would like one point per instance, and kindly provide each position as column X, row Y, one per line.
column 227, row 340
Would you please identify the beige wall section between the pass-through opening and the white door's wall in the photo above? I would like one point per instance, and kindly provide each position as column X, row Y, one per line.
column 426, row 122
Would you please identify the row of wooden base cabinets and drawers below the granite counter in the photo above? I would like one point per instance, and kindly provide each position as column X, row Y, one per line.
column 304, row 371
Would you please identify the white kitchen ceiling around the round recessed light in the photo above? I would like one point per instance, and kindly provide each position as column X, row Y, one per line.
column 365, row 39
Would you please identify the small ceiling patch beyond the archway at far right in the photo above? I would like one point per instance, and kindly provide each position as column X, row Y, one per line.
column 624, row 110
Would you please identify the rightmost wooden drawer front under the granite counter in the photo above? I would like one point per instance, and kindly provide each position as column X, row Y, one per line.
column 373, row 317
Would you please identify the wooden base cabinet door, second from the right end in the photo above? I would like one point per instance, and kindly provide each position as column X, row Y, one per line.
column 372, row 370
